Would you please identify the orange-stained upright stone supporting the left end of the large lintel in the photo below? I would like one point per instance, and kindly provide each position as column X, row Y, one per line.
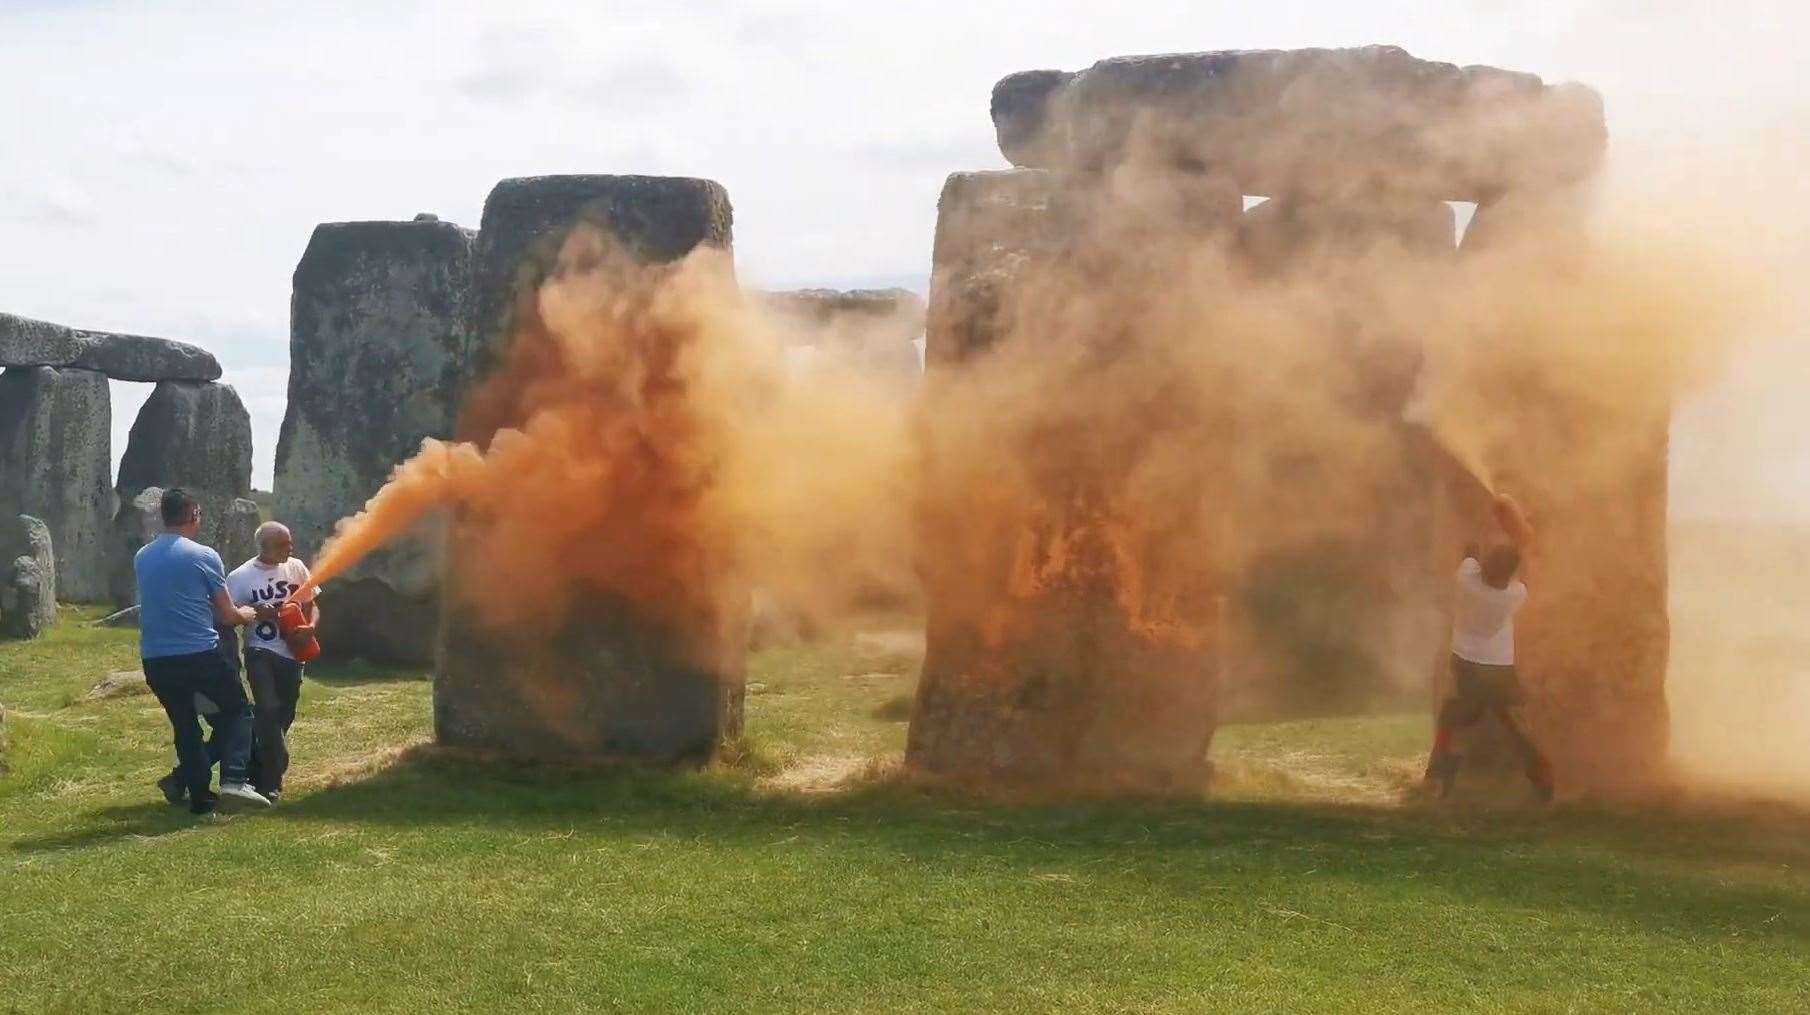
column 1038, row 663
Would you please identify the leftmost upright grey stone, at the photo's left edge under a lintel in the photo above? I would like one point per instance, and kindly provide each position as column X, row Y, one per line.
column 55, row 462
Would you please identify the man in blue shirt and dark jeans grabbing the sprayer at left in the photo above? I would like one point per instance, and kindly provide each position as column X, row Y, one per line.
column 182, row 591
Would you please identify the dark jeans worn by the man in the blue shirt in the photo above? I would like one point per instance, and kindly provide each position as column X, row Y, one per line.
column 180, row 681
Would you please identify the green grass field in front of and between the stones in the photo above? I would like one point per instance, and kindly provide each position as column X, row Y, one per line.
column 805, row 875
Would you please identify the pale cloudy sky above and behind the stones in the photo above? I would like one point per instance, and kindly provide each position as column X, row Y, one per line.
column 167, row 162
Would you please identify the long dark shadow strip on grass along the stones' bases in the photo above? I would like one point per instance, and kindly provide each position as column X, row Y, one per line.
column 1664, row 871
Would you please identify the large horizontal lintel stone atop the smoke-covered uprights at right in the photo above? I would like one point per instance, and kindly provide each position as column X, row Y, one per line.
column 1308, row 122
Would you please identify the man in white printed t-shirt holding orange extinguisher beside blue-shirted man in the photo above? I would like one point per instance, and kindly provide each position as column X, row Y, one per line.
column 265, row 583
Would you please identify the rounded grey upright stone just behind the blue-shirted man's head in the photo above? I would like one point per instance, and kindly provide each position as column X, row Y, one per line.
column 196, row 437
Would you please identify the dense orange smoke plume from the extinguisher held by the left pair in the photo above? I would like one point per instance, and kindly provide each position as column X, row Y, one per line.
column 642, row 439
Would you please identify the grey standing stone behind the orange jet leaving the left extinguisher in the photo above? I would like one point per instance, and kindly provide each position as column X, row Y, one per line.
column 379, row 356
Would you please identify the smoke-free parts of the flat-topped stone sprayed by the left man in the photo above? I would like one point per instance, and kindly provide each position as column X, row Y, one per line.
column 616, row 679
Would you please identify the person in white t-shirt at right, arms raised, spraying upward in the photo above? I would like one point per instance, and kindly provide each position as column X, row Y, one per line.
column 1483, row 667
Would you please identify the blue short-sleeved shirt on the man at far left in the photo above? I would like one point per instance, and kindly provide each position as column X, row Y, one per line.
column 176, row 585
